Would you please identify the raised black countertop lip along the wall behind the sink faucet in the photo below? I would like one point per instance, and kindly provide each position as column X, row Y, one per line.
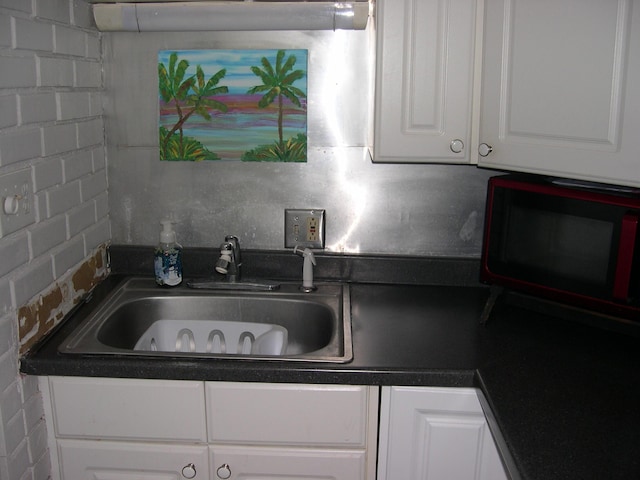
column 281, row 265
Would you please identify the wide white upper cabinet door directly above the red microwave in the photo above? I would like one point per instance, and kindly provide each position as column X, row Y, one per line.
column 560, row 91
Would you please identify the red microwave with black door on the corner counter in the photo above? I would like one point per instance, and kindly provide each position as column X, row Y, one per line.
column 573, row 242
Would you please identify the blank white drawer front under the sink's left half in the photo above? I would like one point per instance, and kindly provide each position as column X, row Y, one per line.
column 111, row 408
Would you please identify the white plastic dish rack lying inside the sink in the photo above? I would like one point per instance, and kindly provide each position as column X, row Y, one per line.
column 214, row 337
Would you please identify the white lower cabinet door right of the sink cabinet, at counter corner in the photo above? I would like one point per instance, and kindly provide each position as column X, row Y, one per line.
column 435, row 434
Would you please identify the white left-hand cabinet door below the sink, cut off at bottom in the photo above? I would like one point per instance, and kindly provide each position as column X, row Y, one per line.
column 101, row 460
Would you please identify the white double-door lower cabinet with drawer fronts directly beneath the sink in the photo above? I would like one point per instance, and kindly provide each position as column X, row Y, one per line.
column 117, row 429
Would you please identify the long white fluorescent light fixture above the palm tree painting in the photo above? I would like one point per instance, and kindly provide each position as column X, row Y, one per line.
column 230, row 15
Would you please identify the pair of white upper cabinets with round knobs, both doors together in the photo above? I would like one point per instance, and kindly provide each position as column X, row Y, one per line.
column 544, row 86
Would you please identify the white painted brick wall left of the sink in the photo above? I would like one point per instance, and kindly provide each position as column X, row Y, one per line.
column 50, row 126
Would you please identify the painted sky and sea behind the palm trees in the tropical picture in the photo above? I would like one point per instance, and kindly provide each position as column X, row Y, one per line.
column 244, row 126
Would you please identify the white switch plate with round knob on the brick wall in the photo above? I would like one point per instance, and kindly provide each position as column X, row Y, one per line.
column 16, row 202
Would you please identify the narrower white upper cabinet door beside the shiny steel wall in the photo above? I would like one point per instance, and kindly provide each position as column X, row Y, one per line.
column 424, row 80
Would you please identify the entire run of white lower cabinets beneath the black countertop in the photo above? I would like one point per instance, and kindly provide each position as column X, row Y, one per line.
column 131, row 429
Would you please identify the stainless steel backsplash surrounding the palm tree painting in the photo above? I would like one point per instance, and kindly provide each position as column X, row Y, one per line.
column 408, row 209
